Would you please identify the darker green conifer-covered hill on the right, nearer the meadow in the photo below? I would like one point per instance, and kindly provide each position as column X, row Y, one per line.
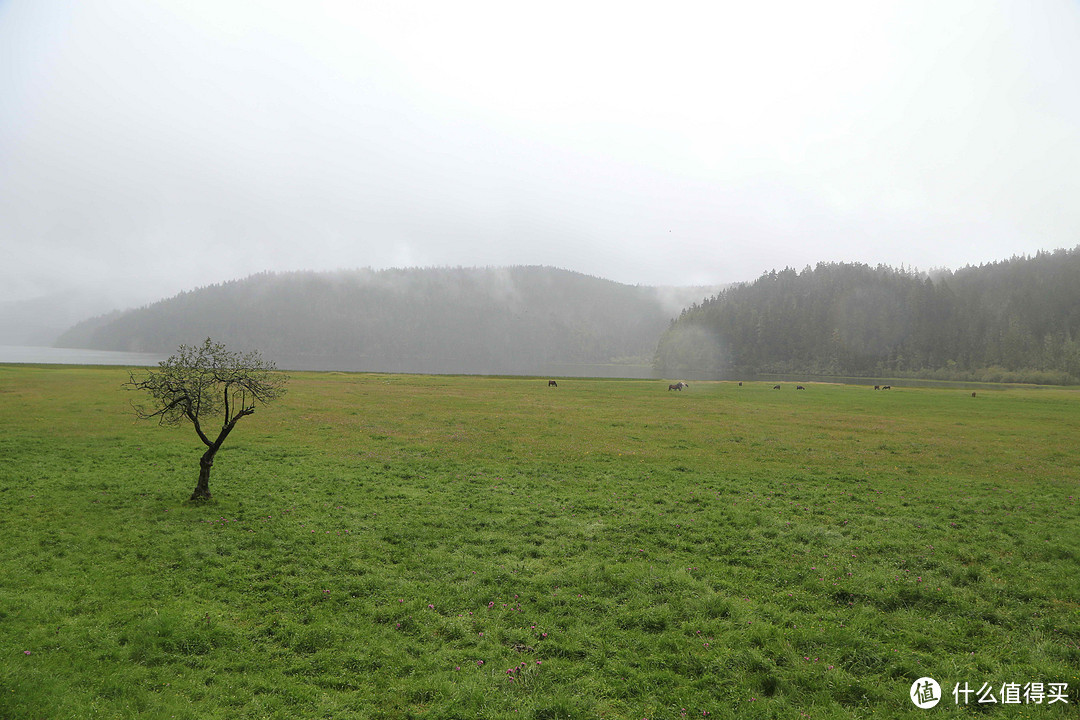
column 1014, row 321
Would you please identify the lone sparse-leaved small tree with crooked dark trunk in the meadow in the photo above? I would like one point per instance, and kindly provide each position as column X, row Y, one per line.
column 204, row 384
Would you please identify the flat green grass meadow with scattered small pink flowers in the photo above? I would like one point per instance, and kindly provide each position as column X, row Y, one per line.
column 412, row 547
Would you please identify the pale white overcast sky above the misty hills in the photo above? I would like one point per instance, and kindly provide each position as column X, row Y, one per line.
column 155, row 146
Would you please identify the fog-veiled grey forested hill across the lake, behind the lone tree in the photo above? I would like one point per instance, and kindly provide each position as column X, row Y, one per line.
column 524, row 320
